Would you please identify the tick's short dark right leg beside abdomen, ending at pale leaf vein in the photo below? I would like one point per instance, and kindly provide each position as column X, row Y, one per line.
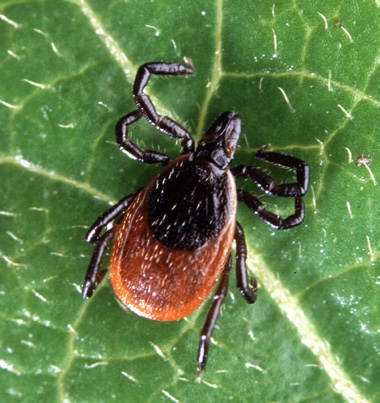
column 247, row 290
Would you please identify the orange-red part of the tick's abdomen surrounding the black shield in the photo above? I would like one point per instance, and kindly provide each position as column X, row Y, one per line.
column 158, row 281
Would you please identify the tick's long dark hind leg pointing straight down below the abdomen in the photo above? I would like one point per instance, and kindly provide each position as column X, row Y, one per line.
column 212, row 317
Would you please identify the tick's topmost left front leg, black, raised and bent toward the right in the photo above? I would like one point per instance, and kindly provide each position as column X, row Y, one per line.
column 162, row 123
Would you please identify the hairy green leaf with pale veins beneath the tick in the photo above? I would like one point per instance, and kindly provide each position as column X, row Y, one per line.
column 304, row 78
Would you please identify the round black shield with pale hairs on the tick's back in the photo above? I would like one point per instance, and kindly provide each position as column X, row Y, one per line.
column 189, row 204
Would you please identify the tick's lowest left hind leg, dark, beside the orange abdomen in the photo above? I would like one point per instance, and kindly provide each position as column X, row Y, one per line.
column 93, row 276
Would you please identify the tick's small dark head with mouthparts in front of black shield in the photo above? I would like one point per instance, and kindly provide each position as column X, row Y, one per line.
column 219, row 143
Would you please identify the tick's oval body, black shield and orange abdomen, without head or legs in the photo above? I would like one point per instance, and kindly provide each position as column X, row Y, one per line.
column 174, row 240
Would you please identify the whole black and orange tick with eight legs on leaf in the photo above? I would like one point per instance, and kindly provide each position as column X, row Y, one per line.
column 173, row 241
